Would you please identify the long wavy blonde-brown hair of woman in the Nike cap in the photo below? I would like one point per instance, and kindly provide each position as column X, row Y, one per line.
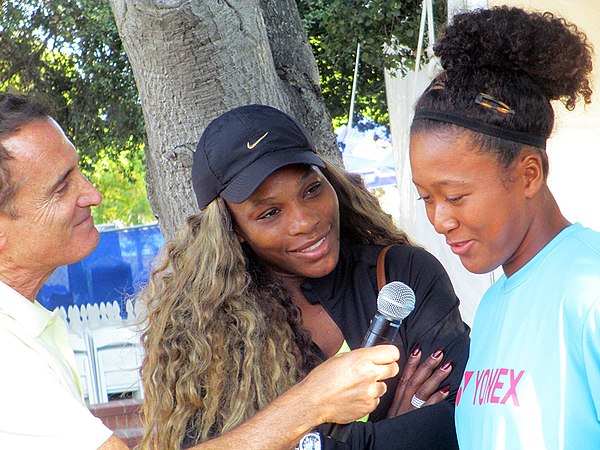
column 222, row 336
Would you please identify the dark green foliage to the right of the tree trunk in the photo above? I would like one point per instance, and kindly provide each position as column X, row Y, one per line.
column 335, row 27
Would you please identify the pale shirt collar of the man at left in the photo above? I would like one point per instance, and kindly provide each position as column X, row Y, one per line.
column 32, row 317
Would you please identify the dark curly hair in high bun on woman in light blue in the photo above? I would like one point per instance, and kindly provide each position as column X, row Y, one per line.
column 524, row 59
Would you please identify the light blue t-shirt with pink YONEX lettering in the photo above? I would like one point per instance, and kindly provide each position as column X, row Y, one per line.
column 533, row 376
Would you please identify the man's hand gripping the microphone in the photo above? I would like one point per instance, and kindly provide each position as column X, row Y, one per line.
column 347, row 387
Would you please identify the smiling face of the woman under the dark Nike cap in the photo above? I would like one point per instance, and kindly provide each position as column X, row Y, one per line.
column 291, row 222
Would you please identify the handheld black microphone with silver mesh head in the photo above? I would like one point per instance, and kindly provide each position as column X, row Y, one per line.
column 395, row 301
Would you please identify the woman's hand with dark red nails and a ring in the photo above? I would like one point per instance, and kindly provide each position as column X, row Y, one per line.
column 421, row 381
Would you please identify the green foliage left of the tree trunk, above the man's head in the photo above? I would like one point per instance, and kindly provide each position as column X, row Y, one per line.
column 70, row 52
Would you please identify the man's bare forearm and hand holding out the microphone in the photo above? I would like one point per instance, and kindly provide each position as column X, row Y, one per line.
column 341, row 390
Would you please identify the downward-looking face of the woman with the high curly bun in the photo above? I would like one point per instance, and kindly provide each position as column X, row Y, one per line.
column 479, row 206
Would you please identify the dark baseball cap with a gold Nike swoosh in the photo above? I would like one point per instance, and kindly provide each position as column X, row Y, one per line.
column 242, row 147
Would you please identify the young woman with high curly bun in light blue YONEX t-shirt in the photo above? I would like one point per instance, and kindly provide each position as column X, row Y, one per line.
column 478, row 156
